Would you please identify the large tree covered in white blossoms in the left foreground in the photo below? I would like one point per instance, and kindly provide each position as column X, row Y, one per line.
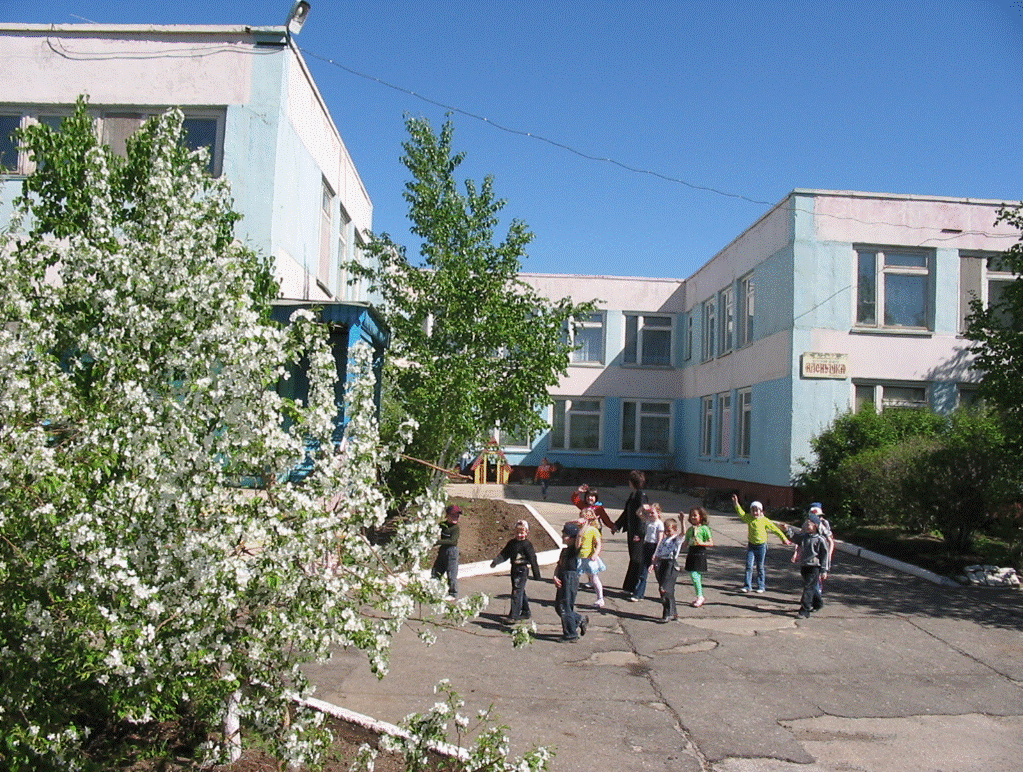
column 139, row 584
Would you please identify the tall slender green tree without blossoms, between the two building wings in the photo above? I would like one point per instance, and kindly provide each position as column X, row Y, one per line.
column 474, row 346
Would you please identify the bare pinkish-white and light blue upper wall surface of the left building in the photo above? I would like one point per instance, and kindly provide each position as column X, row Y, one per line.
column 280, row 142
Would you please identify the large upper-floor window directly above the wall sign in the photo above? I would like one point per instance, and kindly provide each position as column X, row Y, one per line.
column 893, row 289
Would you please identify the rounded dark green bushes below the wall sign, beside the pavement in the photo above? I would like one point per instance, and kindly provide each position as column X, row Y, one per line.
column 920, row 472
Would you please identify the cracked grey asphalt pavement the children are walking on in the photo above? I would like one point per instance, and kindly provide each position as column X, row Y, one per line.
column 897, row 674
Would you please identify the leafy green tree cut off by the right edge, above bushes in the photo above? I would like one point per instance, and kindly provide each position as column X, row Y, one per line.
column 997, row 335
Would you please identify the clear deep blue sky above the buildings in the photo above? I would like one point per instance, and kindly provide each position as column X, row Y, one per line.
column 722, row 108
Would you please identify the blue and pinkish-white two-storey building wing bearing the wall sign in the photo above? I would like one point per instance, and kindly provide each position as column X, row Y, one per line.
column 830, row 302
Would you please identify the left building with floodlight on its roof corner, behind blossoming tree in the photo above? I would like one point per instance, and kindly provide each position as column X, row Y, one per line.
column 249, row 98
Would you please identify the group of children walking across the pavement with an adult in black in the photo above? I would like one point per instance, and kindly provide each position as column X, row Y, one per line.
column 656, row 546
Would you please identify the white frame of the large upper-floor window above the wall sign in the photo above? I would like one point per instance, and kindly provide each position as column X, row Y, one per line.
column 879, row 264
